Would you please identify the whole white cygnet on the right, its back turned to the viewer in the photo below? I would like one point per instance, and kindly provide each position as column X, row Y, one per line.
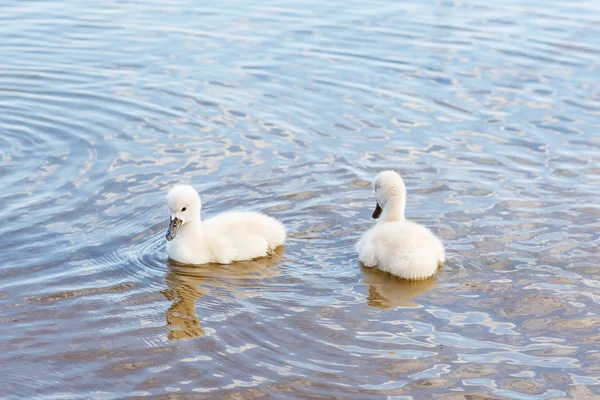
column 395, row 245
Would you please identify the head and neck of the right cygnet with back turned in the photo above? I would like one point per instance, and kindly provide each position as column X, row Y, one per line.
column 390, row 193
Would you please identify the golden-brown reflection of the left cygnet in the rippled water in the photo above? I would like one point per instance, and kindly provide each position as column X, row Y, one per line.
column 186, row 284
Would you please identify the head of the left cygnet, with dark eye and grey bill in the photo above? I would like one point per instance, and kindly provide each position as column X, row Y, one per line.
column 184, row 207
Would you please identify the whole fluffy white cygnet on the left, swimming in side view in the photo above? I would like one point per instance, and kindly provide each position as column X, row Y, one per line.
column 224, row 238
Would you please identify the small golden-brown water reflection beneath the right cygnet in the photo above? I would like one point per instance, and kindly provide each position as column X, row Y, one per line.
column 389, row 291
